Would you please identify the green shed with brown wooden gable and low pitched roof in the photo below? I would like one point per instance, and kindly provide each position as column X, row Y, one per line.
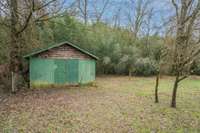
column 64, row 63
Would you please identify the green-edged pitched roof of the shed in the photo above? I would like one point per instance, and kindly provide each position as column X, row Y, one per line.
column 58, row 45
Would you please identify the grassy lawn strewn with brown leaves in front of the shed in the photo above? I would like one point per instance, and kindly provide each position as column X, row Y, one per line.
column 113, row 104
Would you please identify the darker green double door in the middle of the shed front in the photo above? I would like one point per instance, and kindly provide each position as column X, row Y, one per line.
column 66, row 71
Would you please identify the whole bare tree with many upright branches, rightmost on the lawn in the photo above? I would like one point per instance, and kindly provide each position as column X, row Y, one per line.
column 186, row 47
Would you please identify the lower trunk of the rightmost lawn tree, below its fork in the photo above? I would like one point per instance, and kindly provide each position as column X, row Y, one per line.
column 173, row 102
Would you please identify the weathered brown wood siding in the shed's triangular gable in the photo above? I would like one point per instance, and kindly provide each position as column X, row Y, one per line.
column 64, row 52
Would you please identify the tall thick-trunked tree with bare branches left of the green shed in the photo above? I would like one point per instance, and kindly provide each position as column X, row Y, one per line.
column 21, row 13
